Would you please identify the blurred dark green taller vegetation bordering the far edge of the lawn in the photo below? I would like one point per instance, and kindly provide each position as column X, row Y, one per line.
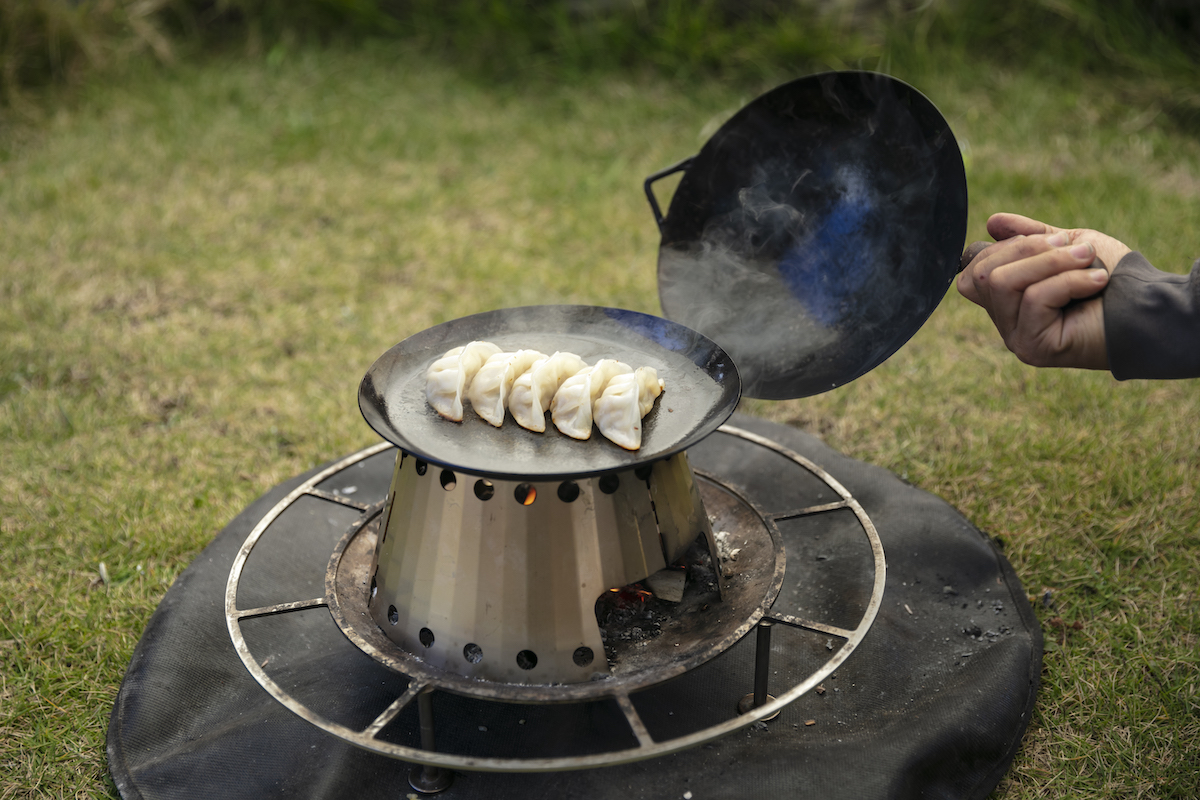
column 57, row 41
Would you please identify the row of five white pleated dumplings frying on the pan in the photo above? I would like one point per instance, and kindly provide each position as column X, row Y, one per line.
column 529, row 384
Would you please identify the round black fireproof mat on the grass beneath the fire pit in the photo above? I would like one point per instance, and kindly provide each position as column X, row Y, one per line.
column 933, row 705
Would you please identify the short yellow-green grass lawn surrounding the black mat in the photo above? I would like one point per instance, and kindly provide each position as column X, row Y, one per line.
column 197, row 266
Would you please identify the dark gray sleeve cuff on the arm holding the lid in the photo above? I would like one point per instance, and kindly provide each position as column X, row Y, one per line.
column 1153, row 321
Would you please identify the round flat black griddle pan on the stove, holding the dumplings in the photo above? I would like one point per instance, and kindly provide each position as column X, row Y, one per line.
column 703, row 390
